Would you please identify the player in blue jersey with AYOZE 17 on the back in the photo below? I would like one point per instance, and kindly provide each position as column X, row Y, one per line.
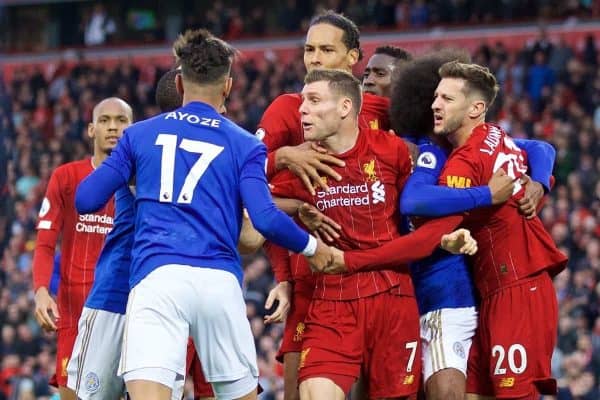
column 195, row 170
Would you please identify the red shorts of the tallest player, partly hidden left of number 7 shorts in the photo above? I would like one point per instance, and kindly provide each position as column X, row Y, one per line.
column 291, row 341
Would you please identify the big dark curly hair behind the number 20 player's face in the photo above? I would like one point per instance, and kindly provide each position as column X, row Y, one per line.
column 413, row 87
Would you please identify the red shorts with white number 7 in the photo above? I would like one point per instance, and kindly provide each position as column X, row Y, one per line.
column 378, row 335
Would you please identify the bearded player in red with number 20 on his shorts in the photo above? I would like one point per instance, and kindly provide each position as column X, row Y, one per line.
column 518, row 316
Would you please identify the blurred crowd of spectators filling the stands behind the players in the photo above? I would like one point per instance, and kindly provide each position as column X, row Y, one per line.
column 549, row 91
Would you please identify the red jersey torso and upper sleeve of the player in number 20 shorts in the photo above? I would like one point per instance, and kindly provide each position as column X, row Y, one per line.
column 511, row 247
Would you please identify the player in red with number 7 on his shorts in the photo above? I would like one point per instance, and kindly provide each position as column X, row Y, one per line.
column 342, row 339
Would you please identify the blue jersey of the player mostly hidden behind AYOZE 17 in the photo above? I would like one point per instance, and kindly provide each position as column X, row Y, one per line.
column 111, row 278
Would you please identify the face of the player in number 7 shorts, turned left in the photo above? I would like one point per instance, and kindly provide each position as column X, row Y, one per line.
column 320, row 111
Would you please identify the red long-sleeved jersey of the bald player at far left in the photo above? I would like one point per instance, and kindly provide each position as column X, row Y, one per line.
column 82, row 240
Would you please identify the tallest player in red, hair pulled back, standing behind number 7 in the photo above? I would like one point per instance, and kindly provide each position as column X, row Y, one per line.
column 333, row 42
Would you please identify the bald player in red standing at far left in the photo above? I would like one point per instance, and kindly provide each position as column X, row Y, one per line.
column 82, row 237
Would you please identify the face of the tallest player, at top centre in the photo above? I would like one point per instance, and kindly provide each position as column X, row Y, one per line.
column 324, row 49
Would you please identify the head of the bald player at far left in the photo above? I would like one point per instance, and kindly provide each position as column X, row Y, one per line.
column 112, row 117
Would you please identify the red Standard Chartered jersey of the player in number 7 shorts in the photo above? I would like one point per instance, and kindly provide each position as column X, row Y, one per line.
column 365, row 204
